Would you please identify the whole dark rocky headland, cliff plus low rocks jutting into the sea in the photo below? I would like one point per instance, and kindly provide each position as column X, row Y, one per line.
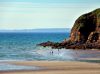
column 85, row 34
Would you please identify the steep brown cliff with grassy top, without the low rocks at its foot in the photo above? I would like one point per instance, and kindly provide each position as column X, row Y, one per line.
column 87, row 28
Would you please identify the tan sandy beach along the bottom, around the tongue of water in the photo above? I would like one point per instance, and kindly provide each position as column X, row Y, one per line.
column 56, row 67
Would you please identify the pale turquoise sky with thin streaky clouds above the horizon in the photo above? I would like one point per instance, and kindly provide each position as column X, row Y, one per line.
column 36, row 14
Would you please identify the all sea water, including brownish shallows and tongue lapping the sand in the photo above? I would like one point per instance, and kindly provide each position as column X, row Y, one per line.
column 23, row 47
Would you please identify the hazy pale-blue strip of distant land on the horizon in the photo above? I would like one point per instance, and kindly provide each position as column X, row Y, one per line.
column 48, row 30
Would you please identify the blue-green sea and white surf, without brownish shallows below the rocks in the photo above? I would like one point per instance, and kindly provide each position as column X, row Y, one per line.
column 23, row 46
